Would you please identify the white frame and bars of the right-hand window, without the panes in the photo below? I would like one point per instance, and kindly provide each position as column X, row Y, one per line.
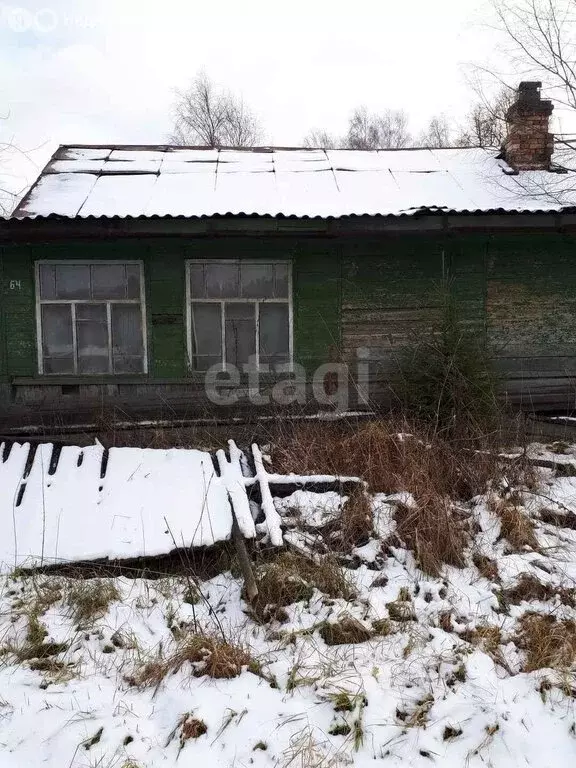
column 239, row 300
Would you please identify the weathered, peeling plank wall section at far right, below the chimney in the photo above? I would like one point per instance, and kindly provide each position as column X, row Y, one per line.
column 531, row 317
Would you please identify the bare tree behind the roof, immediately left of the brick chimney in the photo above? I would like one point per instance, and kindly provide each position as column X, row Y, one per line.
column 485, row 124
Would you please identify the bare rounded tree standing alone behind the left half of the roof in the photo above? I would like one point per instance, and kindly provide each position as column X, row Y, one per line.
column 207, row 115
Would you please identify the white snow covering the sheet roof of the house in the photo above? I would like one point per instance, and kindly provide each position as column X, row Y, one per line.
column 170, row 181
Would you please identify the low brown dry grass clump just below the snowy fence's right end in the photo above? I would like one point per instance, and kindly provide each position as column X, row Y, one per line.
column 290, row 578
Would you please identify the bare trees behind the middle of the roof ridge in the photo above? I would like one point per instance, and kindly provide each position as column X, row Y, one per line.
column 387, row 130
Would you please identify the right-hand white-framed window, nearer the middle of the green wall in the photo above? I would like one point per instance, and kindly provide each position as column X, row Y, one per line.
column 238, row 312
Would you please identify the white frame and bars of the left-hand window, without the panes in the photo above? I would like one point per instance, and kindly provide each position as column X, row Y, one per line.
column 40, row 302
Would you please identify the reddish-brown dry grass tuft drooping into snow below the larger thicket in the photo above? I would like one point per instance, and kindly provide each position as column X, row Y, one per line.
column 433, row 532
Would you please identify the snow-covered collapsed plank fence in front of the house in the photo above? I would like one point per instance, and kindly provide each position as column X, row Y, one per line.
column 69, row 504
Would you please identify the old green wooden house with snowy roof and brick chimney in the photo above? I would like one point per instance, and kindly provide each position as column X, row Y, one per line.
column 163, row 281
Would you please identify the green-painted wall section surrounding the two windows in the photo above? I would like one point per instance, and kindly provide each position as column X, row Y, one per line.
column 316, row 295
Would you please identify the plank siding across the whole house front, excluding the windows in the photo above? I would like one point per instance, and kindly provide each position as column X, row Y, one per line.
column 379, row 292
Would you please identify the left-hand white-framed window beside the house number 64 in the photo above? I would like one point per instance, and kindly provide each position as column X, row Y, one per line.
column 90, row 318
